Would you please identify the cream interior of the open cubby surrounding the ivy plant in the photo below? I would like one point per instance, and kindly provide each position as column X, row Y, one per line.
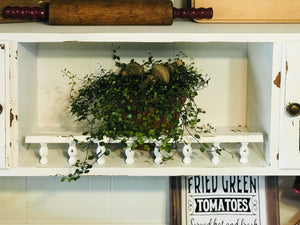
column 228, row 100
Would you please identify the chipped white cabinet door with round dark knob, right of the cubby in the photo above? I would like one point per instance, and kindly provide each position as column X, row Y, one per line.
column 290, row 107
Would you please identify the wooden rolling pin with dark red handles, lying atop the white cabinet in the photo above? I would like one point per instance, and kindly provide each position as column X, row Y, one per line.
column 107, row 12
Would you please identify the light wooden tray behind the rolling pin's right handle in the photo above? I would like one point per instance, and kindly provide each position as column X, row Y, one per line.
column 251, row 11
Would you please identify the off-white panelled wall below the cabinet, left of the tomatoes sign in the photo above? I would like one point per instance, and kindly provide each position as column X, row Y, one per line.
column 93, row 200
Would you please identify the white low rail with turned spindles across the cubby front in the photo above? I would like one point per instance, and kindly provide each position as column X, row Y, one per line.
column 216, row 139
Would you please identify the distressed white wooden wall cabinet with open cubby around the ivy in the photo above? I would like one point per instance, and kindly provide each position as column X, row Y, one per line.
column 243, row 62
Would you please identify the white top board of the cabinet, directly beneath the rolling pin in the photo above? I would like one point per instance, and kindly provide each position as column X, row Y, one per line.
column 179, row 31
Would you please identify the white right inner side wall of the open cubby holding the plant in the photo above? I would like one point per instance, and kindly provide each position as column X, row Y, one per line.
column 260, row 61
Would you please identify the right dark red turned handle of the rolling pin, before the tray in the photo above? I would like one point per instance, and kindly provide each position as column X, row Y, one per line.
column 193, row 13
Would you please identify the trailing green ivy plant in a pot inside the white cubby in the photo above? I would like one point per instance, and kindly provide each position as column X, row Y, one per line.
column 152, row 100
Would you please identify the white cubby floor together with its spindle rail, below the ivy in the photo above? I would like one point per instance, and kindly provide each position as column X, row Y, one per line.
column 58, row 152
